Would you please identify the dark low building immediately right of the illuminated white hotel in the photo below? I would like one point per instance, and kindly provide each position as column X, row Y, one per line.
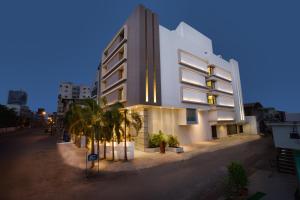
column 264, row 115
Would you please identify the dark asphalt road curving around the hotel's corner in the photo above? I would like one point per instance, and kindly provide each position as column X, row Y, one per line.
column 31, row 168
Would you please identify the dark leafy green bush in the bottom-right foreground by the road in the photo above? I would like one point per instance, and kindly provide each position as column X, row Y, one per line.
column 236, row 180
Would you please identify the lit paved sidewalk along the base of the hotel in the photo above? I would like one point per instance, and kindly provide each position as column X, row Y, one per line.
column 75, row 157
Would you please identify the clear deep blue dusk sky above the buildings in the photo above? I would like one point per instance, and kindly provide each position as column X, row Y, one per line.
column 45, row 42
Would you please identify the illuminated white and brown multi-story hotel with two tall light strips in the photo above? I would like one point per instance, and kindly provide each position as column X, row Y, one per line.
column 173, row 79
